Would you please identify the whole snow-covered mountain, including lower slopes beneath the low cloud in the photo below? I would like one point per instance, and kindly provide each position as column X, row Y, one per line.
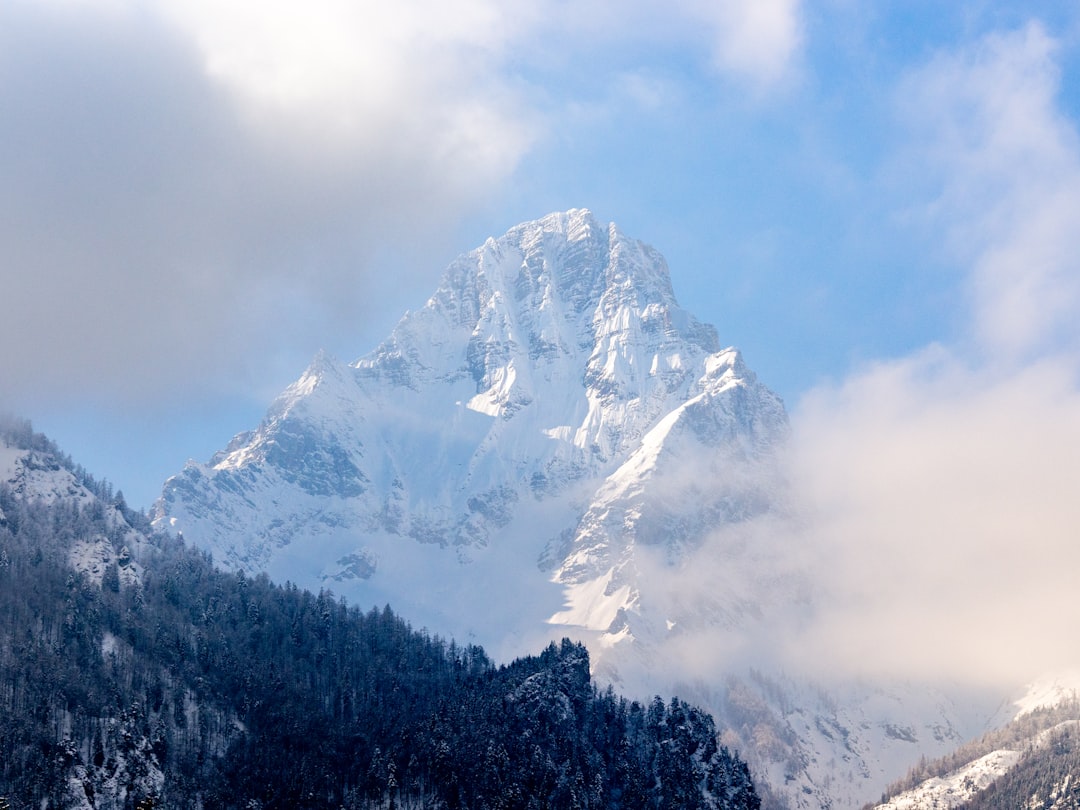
column 552, row 445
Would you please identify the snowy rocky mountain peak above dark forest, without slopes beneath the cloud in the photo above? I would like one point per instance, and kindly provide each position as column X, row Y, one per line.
column 494, row 465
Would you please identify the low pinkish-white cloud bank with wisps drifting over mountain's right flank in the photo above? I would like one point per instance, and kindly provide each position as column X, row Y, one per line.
column 929, row 535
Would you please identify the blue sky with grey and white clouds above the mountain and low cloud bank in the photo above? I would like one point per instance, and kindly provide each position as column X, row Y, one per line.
column 198, row 196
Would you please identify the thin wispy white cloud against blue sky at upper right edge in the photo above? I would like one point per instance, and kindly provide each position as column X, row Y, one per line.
column 1008, row 164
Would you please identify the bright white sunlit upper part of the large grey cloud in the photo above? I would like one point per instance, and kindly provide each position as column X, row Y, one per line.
column 363, row 76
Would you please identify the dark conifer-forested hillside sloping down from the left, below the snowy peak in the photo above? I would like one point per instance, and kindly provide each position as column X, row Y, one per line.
column 134, row 674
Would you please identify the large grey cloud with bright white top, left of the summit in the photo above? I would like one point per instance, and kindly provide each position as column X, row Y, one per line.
column 192, row 190
